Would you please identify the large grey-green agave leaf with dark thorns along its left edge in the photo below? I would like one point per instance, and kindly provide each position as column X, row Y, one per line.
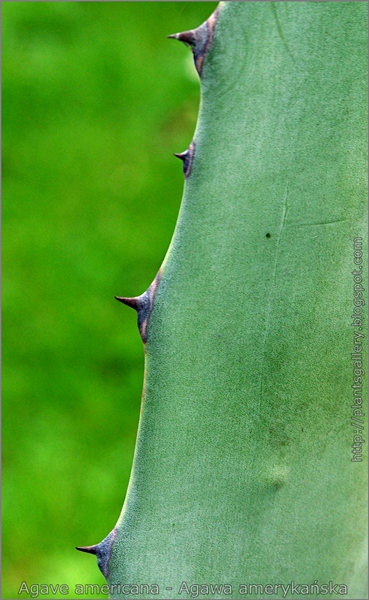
column 243, row 469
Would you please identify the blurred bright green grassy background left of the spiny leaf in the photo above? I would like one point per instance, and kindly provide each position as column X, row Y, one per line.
column 95, row 102
